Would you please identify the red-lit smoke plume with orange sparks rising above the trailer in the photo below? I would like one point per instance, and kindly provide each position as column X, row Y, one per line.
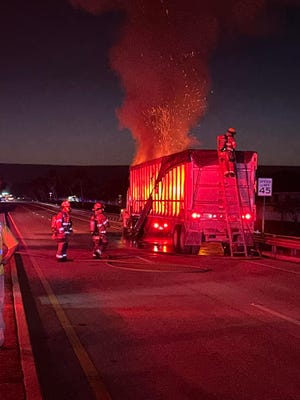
column 162, row 60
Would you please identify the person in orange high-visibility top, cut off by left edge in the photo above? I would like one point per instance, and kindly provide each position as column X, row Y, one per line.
column 8, row 245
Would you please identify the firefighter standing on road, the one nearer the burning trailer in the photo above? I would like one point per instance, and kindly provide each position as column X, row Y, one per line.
column 98, row 225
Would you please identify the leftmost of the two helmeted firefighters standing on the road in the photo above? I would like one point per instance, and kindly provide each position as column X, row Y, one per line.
column 63, row 229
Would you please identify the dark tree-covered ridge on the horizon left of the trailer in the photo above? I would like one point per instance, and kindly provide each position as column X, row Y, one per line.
column 87, row 183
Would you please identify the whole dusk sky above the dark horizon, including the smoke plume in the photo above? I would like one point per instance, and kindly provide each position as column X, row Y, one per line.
column 95, row 86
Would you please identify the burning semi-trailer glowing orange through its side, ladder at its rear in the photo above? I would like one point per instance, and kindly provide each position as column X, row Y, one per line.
column 192, row 198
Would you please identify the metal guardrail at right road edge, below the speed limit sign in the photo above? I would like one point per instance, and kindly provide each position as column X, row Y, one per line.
column 277, row 246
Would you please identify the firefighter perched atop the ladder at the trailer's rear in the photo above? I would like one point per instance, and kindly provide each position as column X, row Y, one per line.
column 227, row 146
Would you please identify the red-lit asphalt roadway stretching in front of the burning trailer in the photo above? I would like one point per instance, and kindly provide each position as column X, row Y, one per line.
column 149, row 325
